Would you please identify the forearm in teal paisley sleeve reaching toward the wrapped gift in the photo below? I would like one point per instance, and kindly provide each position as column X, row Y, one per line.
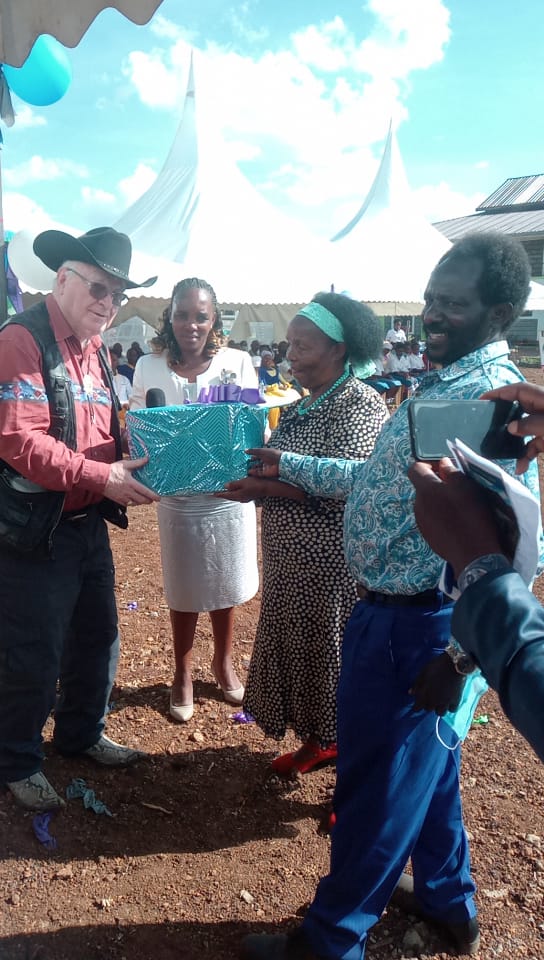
column 320, row 476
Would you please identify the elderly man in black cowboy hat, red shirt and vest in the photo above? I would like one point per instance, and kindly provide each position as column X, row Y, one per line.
column 61, row 473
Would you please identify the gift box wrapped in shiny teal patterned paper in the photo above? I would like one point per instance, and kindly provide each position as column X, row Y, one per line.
column 194, row 448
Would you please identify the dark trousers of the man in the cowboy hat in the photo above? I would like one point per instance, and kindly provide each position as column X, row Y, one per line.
column 58, row 623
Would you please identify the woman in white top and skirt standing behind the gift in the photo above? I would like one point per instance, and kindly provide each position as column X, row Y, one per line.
column 208, row 546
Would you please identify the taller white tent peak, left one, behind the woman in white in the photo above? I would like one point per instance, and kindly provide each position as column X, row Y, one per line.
column 202, row 214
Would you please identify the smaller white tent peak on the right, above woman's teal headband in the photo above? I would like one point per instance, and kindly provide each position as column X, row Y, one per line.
column 388, row 250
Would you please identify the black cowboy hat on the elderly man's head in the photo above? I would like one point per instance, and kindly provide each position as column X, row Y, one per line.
column 104, row 247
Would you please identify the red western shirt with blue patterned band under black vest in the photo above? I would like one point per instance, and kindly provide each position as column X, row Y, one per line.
column 24, row 413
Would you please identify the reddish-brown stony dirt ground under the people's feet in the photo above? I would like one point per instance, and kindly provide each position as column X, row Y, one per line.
column 205, row 845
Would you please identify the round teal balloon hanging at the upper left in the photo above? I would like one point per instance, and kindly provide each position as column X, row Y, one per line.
column 45, row 75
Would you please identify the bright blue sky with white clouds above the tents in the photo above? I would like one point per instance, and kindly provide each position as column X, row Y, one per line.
column 302, row 94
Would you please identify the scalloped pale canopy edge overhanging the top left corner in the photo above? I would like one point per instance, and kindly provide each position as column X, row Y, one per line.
column 21, row 21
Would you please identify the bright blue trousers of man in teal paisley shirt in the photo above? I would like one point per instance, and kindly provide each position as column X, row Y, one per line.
column 397, row 792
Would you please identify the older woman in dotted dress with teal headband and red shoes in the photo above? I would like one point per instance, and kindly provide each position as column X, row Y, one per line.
column 308, row 593
